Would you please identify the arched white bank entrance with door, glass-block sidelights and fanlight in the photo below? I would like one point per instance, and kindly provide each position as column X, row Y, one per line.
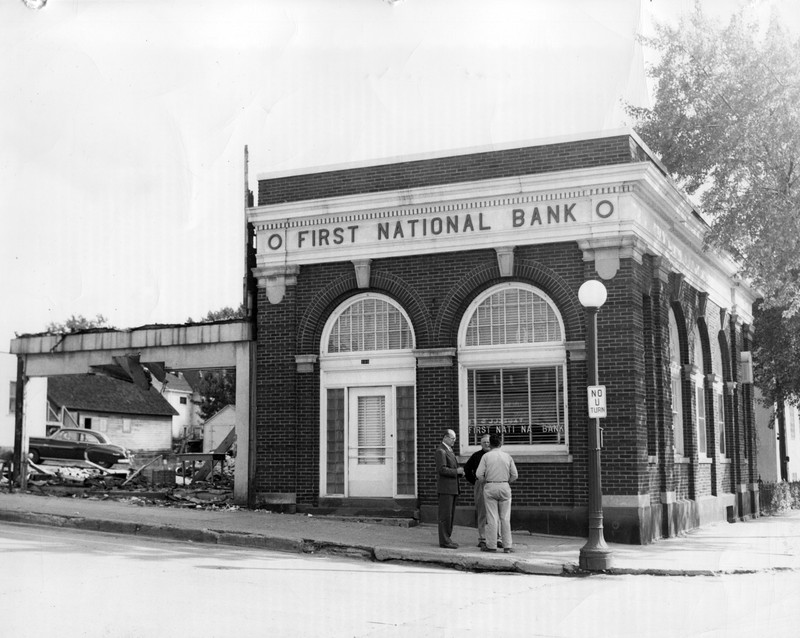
column 368, row 400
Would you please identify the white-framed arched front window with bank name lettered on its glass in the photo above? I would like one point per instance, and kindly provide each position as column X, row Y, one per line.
column 512, row 358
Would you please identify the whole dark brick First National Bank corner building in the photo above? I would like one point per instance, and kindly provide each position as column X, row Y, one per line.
column 395, row 300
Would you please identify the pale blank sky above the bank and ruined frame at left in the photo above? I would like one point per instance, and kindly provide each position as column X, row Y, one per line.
column 123, row 122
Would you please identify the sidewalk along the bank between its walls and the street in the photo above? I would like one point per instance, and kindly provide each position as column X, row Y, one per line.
column 767, row 543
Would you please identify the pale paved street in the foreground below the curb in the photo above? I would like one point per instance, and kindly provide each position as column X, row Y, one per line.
column 89, row 584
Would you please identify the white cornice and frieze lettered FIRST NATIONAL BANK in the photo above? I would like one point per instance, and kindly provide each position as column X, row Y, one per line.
column 650, row 211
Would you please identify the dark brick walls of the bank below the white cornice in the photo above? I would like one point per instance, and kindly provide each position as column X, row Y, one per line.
column 436, row 290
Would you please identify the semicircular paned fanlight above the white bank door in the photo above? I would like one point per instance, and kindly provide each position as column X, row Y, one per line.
column 368, row 324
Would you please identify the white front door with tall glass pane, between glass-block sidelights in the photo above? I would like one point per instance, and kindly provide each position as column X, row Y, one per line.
column 371, row 446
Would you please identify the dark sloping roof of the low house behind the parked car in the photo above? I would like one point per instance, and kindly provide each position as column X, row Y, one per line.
column 98, row 393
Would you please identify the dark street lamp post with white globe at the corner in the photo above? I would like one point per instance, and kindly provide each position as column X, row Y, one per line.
column 595, row 555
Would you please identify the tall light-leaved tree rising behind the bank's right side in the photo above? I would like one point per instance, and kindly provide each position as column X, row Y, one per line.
column 726, row 121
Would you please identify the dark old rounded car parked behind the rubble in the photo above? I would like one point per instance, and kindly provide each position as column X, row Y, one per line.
column 74, row 444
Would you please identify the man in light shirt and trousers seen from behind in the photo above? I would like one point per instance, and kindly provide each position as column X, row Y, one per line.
column 498, row 470
